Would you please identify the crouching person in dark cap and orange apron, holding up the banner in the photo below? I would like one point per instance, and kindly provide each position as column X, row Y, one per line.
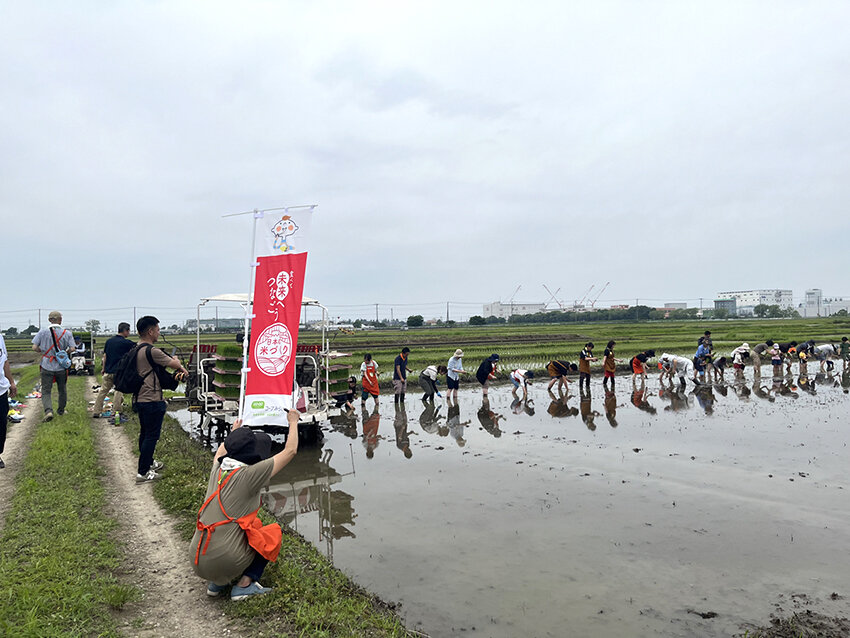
column 230, row 542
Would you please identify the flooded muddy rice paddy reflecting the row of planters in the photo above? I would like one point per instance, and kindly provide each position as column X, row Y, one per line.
column 654, row 513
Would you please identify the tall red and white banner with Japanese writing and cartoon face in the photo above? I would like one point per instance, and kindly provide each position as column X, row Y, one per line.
column 281, row 259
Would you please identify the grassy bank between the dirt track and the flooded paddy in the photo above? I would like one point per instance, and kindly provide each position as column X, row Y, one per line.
column 312, row 597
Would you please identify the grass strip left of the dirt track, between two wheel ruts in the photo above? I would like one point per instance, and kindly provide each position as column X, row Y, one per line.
column 56, row 551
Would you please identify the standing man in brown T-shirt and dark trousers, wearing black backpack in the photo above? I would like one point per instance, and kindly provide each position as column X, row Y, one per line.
column 151, row 364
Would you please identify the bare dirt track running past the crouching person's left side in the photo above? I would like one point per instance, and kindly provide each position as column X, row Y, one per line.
column 174, row 601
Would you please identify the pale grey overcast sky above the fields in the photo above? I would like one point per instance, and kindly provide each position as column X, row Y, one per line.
column 456, row 150
